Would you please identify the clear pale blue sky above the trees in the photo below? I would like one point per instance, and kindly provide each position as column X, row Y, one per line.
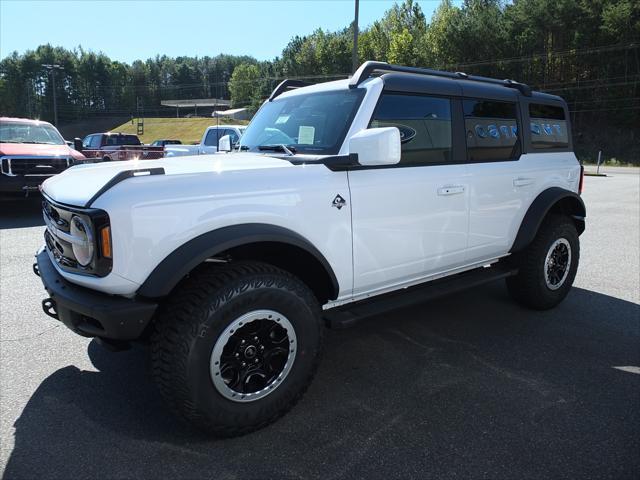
column 130, row 30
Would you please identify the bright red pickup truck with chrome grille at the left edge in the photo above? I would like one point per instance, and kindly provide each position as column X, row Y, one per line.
column 30, row 152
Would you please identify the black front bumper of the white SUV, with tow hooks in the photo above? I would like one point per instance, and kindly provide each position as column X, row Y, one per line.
column 90, row 313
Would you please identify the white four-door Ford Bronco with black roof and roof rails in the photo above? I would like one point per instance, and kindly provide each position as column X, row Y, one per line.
column 342, row 200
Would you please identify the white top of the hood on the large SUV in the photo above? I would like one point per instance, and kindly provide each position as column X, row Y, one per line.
column 77, row 185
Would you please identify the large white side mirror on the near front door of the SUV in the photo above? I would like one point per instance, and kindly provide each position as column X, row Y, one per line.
column 376, row 146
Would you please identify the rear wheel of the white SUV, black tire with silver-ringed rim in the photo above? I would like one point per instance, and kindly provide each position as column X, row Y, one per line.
column 548, row 266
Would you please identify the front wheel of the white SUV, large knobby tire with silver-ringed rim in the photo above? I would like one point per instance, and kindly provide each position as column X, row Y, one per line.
column 236, row 346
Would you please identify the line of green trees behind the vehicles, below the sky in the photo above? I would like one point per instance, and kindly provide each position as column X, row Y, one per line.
column 584, row 50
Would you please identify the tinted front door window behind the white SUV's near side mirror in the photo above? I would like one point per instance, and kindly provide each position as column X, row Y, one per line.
column 424, row 124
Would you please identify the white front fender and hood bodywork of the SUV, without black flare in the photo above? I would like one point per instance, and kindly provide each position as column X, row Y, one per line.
column 151, row 216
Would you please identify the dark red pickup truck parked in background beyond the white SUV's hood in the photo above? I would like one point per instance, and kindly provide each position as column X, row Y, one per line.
column 110, row 146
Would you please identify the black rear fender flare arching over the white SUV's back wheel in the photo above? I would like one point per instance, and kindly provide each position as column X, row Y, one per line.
column 569, row 202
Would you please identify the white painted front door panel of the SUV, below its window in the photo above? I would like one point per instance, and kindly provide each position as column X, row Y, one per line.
column 402, row 228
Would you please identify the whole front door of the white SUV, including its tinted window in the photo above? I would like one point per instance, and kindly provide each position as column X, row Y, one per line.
column 410, row 220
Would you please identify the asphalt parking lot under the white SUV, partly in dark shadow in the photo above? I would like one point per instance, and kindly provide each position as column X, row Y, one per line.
column 470, row 386
